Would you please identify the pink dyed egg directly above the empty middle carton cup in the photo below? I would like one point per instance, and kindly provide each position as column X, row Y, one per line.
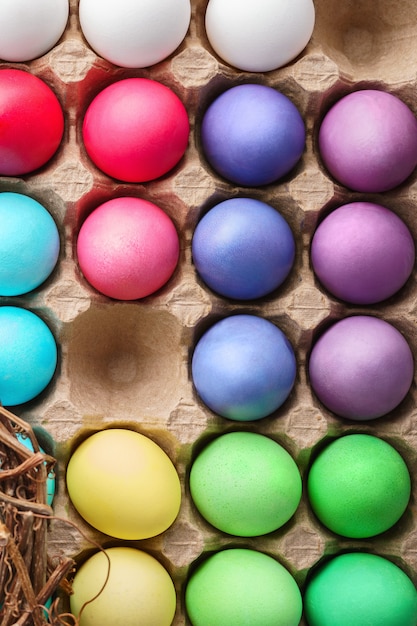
column 127, row 248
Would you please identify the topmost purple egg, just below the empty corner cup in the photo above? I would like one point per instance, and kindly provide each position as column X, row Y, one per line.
column 368, row 141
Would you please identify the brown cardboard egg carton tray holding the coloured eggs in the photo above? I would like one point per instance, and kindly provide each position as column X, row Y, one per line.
column 128, row 363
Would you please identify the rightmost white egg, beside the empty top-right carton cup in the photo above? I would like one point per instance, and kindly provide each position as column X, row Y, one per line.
column 259, row 35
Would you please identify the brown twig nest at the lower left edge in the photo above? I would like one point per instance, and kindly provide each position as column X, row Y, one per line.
column 28, row 578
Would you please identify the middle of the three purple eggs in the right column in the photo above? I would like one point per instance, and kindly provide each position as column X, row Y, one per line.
column 362, row 253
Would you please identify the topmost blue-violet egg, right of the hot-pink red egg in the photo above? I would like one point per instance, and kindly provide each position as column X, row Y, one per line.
column 252, row 135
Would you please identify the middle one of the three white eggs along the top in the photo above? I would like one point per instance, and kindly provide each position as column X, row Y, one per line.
column 134, row 33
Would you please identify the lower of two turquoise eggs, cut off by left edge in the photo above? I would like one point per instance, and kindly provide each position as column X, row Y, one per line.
column 28, row 355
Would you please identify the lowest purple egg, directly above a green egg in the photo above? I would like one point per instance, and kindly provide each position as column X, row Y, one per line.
column 361, row 368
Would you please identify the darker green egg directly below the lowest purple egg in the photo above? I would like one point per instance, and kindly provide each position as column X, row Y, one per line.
column 359, row 486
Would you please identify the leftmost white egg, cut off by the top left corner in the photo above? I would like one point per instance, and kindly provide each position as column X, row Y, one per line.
column 29, row 28
